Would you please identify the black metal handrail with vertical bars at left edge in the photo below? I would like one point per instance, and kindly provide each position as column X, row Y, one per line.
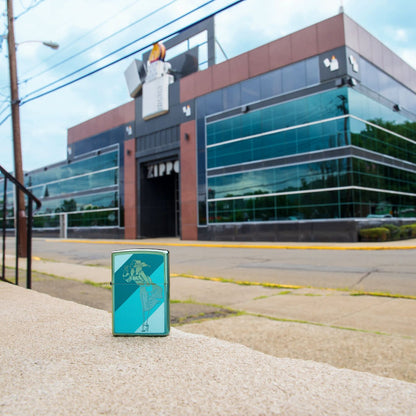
column 30, row 211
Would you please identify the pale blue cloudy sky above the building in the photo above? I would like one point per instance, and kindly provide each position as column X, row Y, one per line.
column 89, row 30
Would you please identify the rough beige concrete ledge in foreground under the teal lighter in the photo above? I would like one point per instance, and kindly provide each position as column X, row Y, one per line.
column 59, row 357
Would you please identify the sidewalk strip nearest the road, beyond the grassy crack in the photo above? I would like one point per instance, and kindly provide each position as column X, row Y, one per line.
column 321, row 306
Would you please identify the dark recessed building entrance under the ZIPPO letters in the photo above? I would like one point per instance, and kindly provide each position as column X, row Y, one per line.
column 159, row 200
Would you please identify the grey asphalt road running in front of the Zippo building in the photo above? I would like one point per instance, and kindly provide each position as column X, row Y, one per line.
column 336, row 266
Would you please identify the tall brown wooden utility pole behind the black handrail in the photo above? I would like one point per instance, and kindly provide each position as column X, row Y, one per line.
column 17, row 144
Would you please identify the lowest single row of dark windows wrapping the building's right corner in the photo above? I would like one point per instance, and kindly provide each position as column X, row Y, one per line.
column 351, row 203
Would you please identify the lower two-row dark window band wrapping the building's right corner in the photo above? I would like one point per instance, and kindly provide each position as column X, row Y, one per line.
column 283, row 193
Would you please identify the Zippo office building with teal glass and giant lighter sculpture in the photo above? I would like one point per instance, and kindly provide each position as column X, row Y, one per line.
column 307, row 138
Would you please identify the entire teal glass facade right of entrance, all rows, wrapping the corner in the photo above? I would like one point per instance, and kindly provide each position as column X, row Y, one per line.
column 251, row 174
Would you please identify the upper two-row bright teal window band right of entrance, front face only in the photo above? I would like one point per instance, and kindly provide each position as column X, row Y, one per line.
column 247, row 139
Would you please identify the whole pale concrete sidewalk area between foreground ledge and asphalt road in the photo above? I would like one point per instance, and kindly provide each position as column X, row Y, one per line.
column 365, row 333
